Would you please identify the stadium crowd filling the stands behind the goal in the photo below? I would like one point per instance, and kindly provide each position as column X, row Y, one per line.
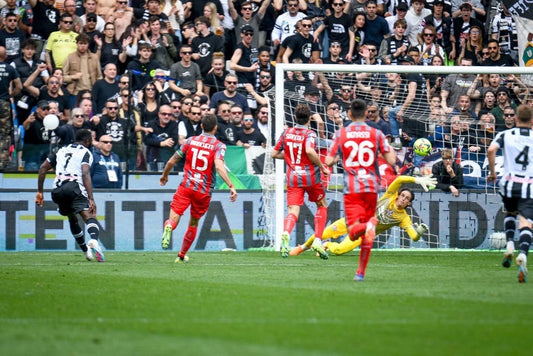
column 111, row 65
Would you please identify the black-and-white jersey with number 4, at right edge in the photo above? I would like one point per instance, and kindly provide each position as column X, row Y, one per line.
column 517, row 146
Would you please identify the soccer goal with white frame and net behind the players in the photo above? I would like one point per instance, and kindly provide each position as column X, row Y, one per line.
column 461, row 124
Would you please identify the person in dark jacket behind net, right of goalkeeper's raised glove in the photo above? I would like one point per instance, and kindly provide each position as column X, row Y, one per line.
column 449, row 174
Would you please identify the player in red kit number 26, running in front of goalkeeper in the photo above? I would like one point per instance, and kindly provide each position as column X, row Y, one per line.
column 358, row 146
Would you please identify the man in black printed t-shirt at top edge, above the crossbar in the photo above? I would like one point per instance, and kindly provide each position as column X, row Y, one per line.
column 337, row 27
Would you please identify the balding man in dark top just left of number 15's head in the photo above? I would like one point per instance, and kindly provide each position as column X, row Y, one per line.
column 162, row 142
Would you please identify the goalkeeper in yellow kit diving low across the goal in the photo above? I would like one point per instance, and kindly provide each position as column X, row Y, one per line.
column 390, row 211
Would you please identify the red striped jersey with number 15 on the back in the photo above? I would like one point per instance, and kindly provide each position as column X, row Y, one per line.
column 200, row 153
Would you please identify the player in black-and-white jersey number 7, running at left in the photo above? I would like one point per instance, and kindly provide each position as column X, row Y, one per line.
column 73, row 190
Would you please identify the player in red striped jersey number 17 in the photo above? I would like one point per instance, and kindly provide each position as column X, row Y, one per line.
column 297, row 146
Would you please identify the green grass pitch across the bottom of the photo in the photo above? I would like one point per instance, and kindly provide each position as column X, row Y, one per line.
column 256, row 303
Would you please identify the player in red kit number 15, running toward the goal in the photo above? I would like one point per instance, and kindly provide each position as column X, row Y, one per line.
column 201, row 153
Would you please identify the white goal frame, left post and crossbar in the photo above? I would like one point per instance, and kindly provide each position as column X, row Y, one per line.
column 273, row 179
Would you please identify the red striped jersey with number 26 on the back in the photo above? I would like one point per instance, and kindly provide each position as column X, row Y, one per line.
column 358, row 146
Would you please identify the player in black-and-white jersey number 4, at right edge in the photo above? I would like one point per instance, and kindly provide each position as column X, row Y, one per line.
column 516, row 184
